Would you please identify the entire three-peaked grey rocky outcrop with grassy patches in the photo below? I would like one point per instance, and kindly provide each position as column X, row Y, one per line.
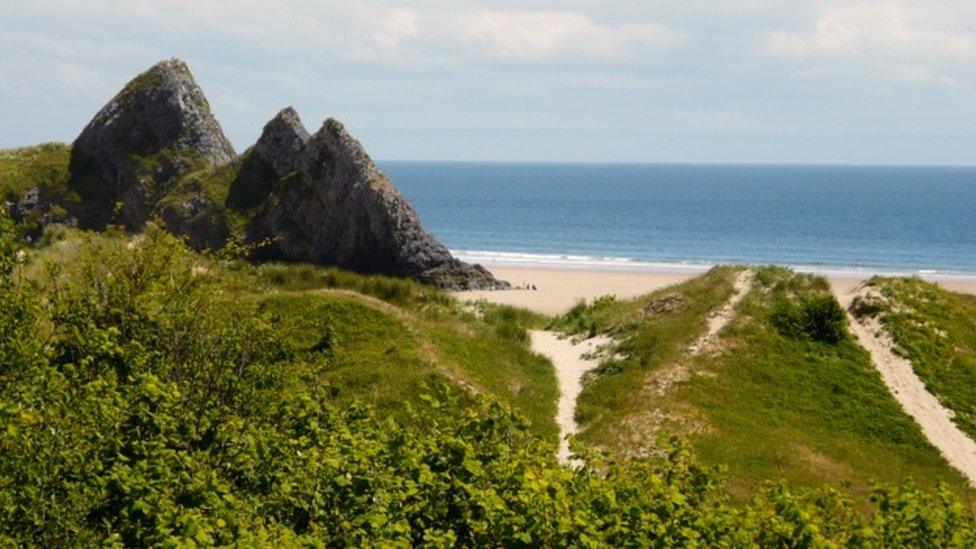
column 156, row 151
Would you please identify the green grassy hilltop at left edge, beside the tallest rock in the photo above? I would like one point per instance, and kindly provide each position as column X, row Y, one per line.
column 44, row 166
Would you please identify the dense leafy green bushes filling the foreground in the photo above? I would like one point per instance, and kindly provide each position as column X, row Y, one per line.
column 141, row 404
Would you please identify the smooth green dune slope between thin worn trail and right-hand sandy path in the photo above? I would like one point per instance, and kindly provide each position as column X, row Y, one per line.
column 777, row 404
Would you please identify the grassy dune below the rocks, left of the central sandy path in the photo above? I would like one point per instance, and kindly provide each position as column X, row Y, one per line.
column 389, row 356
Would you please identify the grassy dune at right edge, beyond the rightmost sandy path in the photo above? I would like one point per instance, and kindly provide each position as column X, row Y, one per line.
column 936, row 330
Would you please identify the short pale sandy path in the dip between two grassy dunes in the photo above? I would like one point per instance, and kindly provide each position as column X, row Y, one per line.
column 570, row 365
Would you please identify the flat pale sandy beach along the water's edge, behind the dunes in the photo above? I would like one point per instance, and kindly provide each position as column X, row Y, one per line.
column 558, row 289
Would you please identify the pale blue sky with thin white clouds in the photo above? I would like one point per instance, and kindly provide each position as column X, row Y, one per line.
column 751, row 81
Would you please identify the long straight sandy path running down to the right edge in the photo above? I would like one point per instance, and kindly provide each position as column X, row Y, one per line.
column 909, row 390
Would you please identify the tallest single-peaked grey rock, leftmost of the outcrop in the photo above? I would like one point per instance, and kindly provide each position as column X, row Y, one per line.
column 156, row 130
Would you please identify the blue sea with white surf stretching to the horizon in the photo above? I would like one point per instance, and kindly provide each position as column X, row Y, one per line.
column 862, row 217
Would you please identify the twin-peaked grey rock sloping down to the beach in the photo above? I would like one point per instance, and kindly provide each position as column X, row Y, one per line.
column 334, row 207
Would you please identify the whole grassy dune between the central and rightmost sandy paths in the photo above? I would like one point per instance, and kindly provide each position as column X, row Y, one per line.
column 786, row 393
